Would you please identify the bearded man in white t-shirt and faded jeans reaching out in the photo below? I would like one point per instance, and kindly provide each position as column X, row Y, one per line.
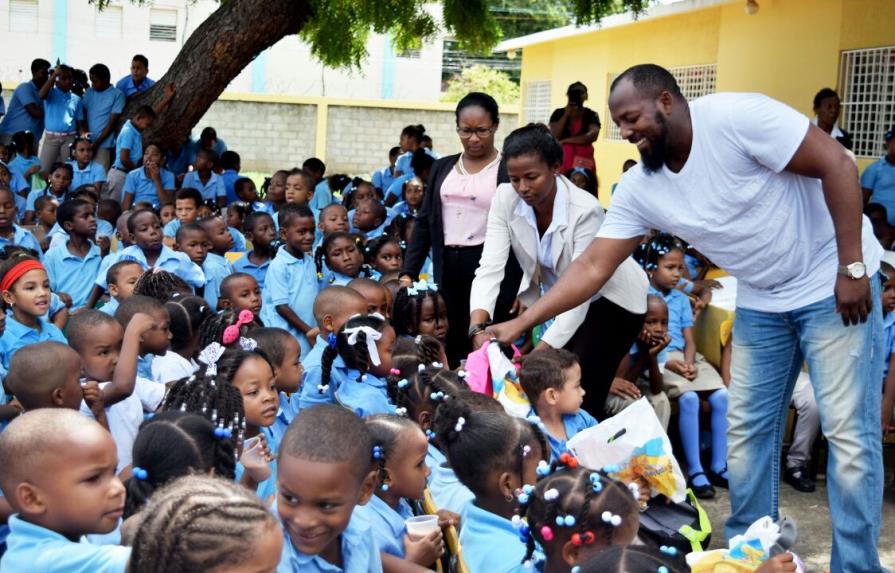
column 772, row 199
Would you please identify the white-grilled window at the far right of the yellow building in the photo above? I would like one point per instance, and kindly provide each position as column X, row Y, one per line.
column 867, row 89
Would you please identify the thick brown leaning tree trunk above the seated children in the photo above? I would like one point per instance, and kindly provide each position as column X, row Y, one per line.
column 213, row 55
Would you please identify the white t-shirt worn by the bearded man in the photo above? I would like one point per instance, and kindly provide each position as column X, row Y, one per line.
column 733, row 202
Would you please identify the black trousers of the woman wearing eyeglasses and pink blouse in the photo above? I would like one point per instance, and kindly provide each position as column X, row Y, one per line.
column 458, row 272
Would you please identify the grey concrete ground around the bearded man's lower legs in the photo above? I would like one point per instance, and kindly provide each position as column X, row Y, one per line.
column 812, row 514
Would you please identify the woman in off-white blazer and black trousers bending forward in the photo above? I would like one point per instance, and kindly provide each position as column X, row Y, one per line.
column 547, row 222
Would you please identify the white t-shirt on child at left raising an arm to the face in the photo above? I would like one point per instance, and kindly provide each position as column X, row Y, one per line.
column 126, row 416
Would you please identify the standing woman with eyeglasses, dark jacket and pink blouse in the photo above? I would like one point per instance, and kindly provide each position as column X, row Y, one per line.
column 454, row 216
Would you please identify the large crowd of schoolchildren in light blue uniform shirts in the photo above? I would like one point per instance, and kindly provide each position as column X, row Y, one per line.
column 200, row 375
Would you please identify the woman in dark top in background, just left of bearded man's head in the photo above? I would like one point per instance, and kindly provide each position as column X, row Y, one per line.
column 577, row 128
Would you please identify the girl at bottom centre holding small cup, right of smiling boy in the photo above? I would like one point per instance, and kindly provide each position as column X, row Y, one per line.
column 400, row 452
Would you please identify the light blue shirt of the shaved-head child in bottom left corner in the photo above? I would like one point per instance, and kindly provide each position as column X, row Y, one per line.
column 37, row 549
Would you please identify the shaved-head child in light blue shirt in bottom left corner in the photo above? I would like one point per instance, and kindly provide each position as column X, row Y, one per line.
column 49, row 450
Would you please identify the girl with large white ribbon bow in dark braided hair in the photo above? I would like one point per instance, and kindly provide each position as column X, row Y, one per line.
column 357, row 362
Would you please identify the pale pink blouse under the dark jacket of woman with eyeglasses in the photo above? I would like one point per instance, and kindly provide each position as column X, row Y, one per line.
column 465, row 201
